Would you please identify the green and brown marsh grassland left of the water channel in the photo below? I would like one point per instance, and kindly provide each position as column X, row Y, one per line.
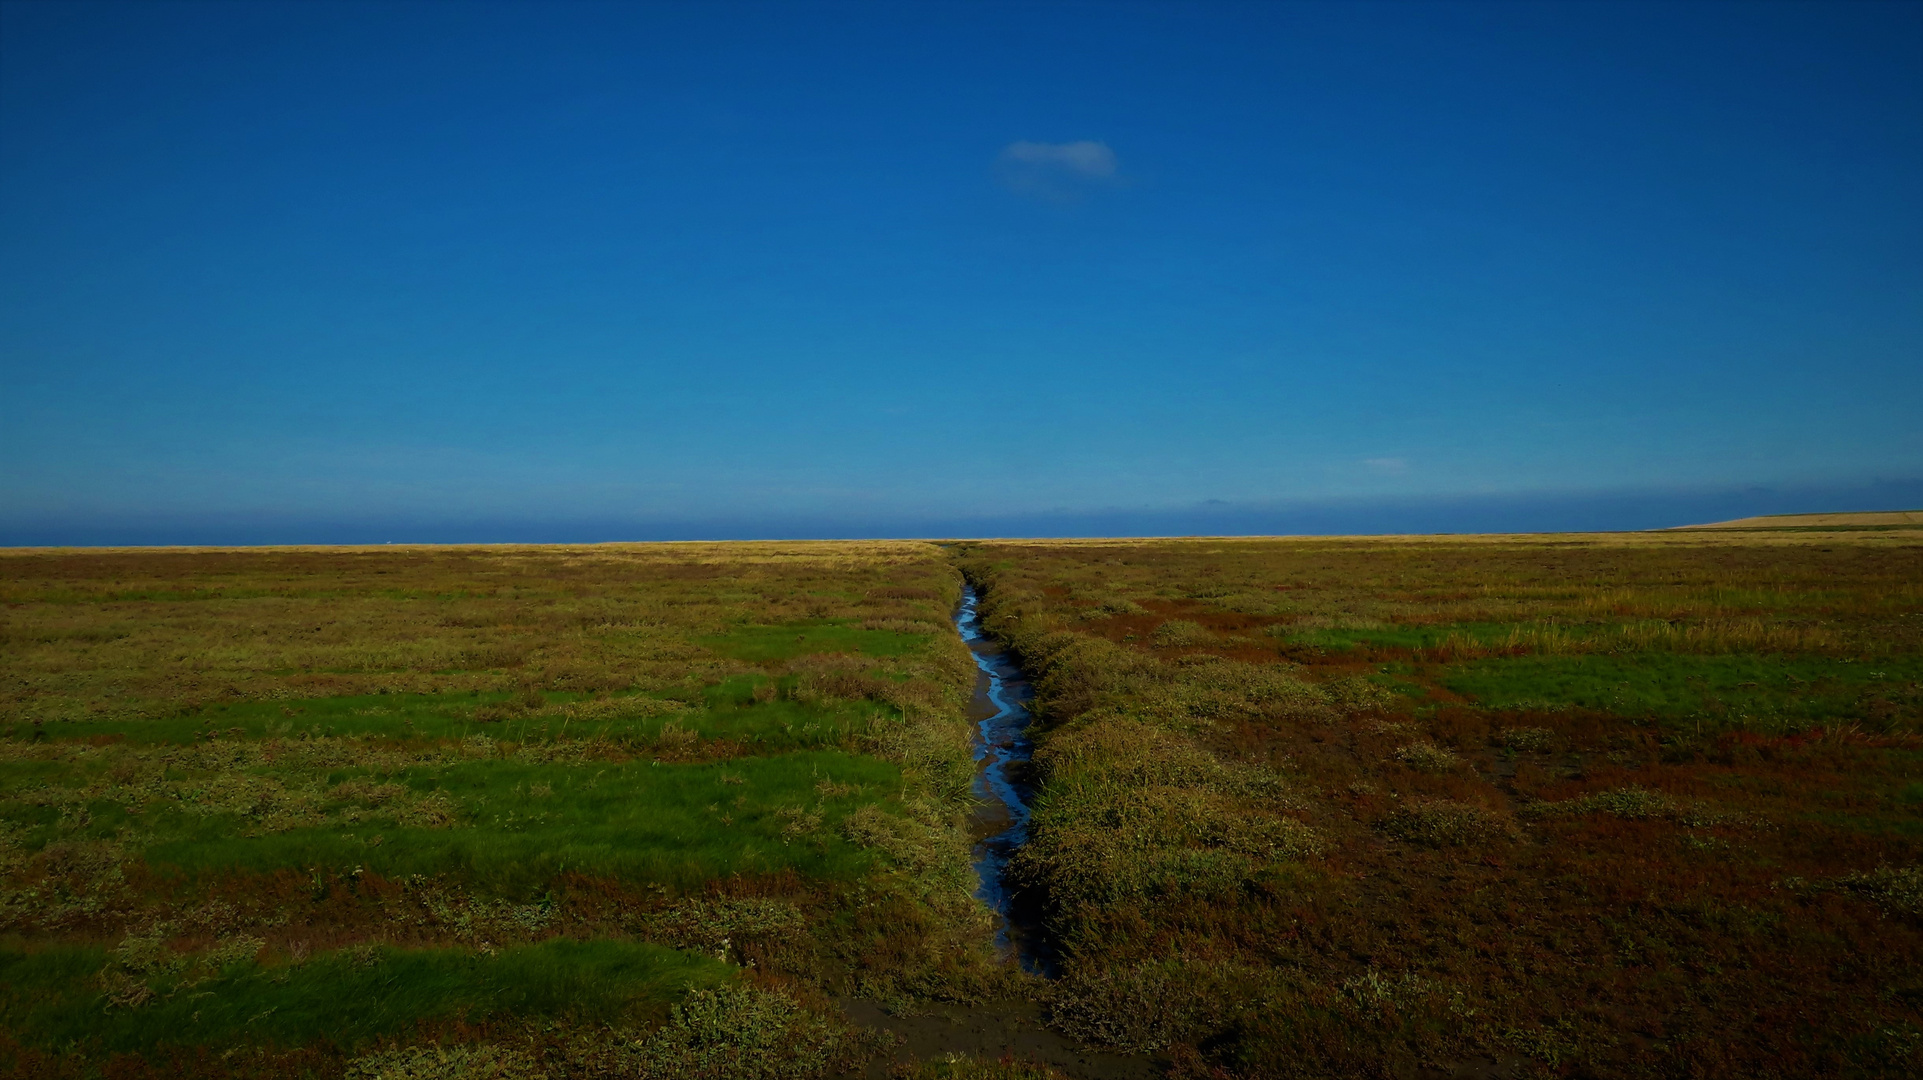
column 562, row 812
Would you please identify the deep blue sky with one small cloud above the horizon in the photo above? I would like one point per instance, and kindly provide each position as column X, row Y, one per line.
column 501, row 270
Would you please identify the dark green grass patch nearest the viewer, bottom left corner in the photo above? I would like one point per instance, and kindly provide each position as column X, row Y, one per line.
column 347, row 998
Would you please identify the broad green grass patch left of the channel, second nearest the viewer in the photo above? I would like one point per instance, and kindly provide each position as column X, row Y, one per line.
column 524, row 823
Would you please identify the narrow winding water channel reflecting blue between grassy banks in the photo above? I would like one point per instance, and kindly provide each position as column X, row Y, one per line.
column 1001, row 716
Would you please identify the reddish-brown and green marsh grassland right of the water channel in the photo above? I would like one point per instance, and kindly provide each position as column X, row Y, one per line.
column 1618, row 806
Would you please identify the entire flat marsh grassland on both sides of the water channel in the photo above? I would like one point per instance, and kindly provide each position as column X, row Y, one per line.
column 1532, row 806
